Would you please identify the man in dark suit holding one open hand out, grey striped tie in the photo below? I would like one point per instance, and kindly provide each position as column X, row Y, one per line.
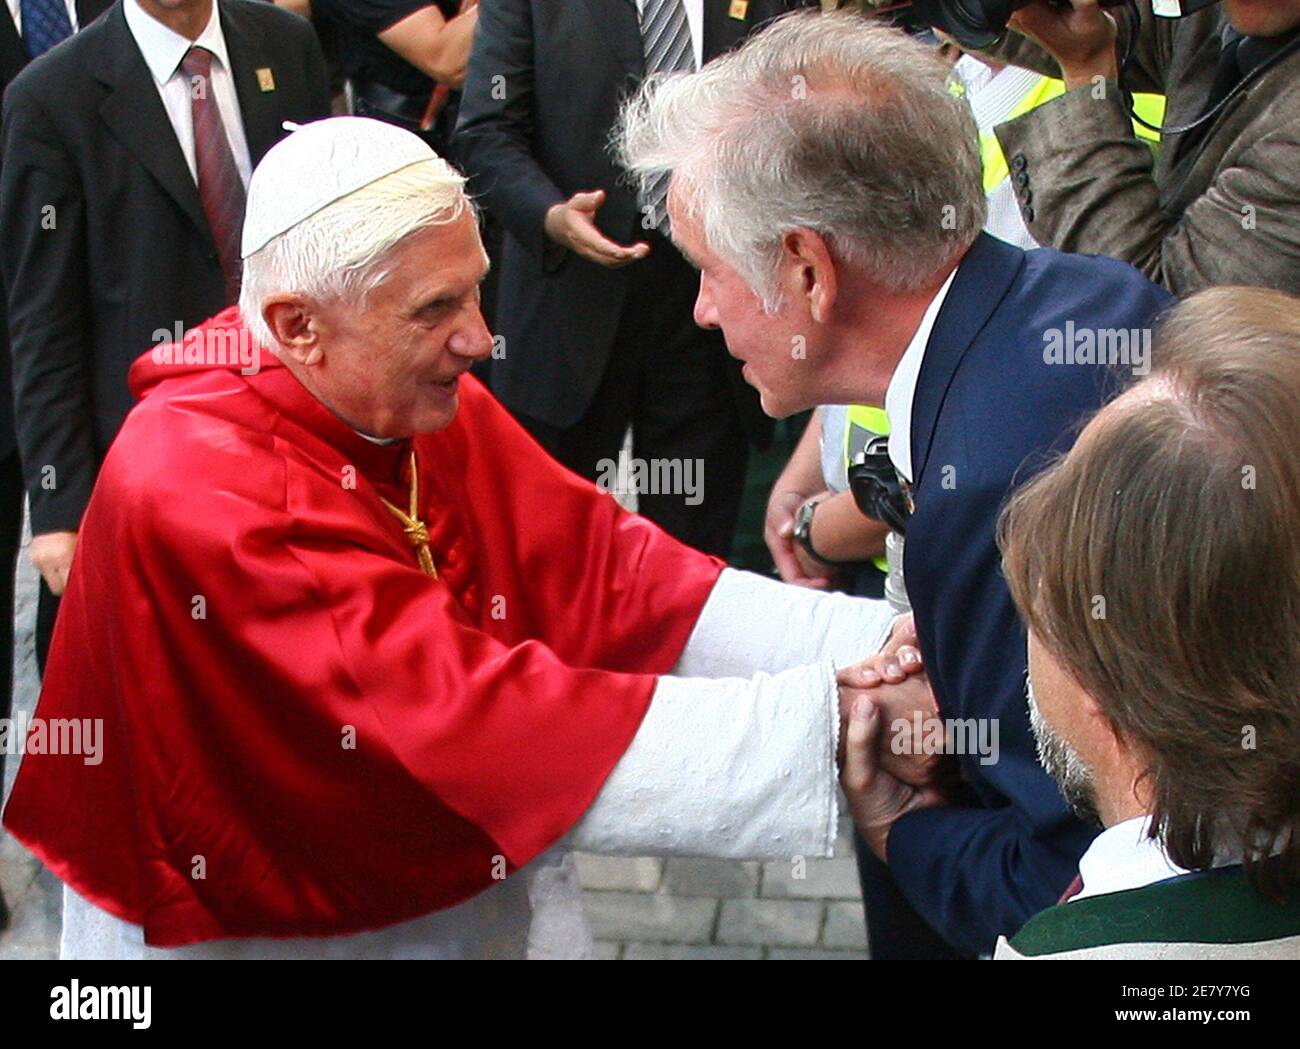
column 593, row 302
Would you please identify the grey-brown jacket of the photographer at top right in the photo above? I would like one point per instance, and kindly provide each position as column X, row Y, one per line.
column 1225, row 211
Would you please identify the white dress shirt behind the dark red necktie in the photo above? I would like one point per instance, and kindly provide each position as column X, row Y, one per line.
column 163, row 51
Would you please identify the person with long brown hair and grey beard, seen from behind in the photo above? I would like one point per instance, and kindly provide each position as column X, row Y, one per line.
column 1159, row 570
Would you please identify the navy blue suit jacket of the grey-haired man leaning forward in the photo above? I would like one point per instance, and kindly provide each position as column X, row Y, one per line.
column 989, row 413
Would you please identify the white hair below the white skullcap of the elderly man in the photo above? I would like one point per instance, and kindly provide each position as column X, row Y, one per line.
column 345, row 250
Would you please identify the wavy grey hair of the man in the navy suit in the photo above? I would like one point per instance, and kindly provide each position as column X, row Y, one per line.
column 821, row 122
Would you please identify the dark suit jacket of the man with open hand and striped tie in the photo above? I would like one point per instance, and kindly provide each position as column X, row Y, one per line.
column 566, row 67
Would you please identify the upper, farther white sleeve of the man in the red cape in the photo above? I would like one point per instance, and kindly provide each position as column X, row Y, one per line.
column 752, row 625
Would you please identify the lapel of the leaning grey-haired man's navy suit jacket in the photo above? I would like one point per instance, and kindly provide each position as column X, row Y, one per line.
column 986, row 275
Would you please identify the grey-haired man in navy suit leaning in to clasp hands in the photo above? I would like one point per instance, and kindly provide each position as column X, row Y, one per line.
column 827, row 187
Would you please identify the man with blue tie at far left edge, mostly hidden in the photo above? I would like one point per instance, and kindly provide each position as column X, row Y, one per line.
column 28, row 31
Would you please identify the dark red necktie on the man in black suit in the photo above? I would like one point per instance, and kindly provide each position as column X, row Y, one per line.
column 222, row 192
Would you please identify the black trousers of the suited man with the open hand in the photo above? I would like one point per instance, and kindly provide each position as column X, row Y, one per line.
column 670, row 380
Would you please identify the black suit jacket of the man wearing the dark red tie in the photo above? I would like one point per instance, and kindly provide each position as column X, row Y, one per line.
column 89, row 151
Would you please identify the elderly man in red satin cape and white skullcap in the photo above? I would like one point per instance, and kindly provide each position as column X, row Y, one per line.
column 363, row 654
